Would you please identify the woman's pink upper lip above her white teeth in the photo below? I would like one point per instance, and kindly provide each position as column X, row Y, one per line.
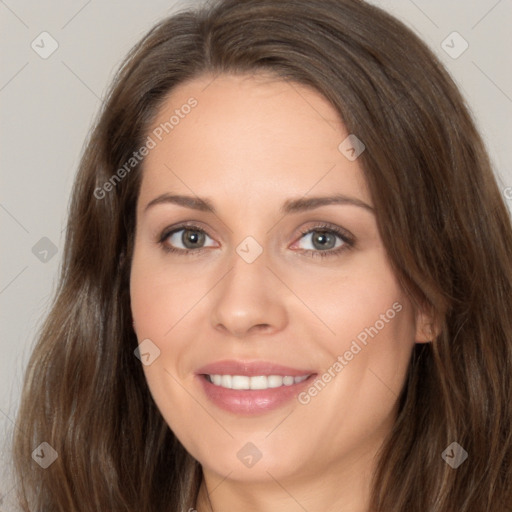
column 250, row 369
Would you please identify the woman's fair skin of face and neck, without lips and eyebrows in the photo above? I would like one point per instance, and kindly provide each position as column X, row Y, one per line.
column 250, row 144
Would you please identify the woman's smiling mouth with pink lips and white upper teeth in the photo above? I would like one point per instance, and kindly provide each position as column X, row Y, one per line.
column 244, row 388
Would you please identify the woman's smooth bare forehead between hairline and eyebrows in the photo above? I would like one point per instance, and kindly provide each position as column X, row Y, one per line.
column 248, row 133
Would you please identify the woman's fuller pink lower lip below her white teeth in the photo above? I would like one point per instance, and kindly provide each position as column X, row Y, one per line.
column 252, row 401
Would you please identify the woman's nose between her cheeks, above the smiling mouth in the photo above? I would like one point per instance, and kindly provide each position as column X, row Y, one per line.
column 249, row 300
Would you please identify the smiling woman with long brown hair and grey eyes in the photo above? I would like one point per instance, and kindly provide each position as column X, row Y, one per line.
column 199, row 356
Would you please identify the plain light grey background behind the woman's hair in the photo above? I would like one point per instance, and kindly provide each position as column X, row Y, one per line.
column 48, row 106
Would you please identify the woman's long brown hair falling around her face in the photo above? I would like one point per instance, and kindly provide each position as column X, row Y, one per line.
column 441, row 217
